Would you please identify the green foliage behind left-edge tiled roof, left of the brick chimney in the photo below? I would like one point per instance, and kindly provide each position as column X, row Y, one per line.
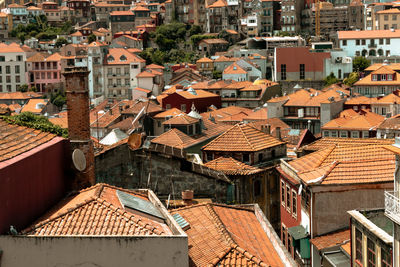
column 30, row 120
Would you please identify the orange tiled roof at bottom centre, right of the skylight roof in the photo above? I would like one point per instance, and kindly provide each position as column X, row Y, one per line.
column 221, row 235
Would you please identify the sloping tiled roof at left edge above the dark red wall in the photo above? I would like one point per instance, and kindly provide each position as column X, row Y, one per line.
column 15, row 140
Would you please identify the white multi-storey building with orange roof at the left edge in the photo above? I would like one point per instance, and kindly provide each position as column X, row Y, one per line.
column 12, row 67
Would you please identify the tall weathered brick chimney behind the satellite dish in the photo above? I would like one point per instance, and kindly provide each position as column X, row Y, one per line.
column 76, row 84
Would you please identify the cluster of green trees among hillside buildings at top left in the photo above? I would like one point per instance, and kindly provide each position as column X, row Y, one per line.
column 40, row 29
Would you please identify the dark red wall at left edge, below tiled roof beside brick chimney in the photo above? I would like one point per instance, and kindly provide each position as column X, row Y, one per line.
column 32, row 182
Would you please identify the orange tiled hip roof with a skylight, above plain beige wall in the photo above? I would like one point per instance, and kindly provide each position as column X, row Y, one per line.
column 96, row 211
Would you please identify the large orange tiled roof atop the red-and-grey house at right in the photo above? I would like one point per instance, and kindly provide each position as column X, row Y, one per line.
column 346, row 165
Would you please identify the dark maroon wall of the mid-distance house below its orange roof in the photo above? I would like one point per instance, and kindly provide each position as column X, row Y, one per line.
column 201, row 104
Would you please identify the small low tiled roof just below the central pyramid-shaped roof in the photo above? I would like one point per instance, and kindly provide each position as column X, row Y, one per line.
column 230, row 166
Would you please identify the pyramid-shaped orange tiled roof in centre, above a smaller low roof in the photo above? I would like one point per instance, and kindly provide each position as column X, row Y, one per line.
column 242, row 137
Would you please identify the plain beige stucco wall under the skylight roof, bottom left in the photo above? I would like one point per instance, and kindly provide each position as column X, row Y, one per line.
column 94, row 251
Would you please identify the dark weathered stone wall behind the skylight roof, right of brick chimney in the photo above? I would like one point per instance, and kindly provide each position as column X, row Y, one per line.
column 123, row 167
